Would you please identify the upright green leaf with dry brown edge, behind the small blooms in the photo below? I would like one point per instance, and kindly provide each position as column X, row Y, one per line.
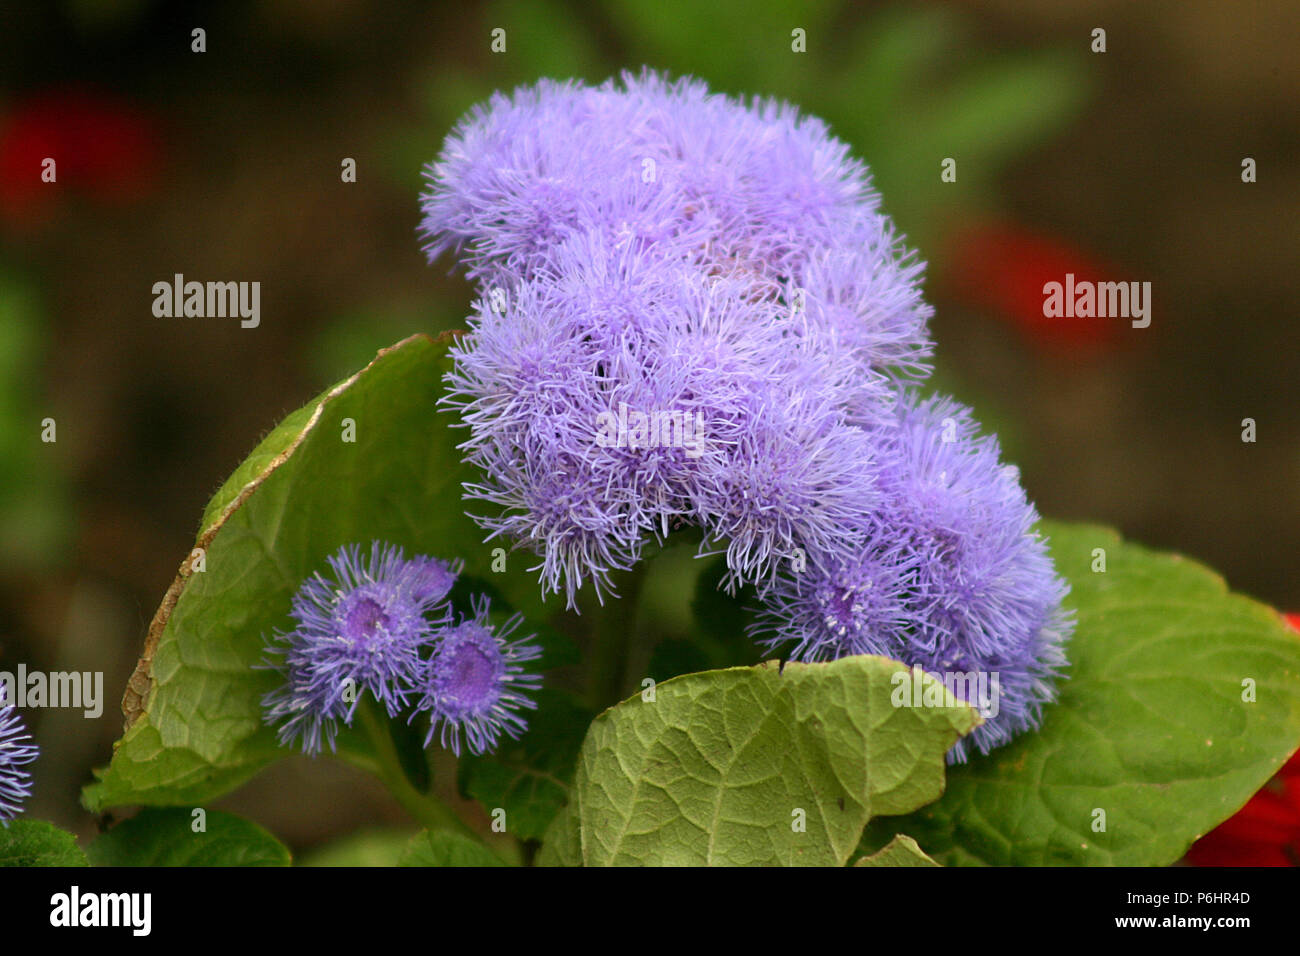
column 194, row 711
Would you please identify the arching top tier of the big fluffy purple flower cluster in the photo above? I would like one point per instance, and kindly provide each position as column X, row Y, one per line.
column 683, row 176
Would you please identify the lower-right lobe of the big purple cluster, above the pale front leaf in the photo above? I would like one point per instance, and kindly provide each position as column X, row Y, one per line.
column 954, row 578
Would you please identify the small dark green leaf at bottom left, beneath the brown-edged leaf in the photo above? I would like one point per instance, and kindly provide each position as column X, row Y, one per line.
column 168, row 838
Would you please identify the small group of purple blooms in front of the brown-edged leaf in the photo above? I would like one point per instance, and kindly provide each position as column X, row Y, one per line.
column 383, row 625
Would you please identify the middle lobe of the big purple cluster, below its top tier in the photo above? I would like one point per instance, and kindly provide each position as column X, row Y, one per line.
column 712, row 393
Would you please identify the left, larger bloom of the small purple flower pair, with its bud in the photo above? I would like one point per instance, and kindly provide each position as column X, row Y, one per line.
column 358, row 630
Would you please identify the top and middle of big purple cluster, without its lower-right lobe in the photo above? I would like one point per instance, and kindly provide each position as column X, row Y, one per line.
column 649, row 246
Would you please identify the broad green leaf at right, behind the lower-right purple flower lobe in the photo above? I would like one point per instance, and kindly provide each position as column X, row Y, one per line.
column 1152, row 728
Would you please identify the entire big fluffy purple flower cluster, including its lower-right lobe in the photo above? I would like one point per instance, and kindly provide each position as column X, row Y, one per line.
column 692, row 313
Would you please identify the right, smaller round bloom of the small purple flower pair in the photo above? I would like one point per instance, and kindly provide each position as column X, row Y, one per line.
column 475, row 682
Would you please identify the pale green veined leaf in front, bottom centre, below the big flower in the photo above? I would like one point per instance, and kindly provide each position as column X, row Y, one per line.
column 755, row 767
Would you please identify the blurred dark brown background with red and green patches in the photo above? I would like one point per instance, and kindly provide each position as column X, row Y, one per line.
column 226, row 166
